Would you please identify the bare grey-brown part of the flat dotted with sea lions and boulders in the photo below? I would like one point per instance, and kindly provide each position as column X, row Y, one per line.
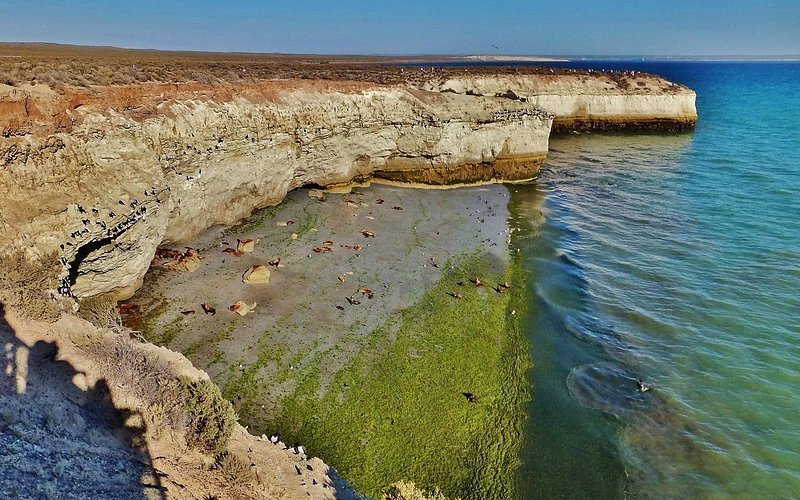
column 304, row 311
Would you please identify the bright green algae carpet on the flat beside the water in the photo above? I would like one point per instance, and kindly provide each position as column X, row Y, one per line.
column 397, row 410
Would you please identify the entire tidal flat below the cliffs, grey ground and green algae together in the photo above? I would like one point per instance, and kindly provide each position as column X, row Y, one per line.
column 393, row 355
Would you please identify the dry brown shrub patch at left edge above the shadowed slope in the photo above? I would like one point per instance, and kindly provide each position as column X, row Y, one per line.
column 24, row 286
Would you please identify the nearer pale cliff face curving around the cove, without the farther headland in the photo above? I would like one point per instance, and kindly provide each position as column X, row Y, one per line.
column 115, row 186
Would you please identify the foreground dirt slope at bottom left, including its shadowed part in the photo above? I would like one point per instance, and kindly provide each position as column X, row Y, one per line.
column 91, row 413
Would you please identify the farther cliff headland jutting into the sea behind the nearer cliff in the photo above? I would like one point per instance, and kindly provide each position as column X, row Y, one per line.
column 627, row 101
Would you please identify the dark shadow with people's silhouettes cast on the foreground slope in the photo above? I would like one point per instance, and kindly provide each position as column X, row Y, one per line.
column 60, row 437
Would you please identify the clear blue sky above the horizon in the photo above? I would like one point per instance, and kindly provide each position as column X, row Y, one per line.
column 567, row 27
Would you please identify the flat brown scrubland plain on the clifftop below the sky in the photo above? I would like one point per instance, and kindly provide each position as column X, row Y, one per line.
column 64, row 65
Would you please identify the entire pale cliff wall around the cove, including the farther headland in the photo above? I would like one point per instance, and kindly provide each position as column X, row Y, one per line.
column 100, row 177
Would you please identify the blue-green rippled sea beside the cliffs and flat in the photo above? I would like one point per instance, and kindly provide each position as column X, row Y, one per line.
column 674, row 259
